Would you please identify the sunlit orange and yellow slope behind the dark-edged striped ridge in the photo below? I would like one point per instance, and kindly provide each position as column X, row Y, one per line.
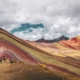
column 65, row 48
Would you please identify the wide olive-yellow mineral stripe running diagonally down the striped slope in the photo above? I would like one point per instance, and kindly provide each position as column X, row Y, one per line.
column 42, row 57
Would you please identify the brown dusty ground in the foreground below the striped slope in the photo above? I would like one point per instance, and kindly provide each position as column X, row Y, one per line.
column 22, row 71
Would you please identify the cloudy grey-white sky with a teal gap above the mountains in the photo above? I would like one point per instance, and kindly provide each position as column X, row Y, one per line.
column 52, row 18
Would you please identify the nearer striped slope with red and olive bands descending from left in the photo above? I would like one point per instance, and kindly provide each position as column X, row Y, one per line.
column 15, row 48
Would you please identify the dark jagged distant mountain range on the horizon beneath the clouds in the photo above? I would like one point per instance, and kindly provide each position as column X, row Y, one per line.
column 54, row 40
